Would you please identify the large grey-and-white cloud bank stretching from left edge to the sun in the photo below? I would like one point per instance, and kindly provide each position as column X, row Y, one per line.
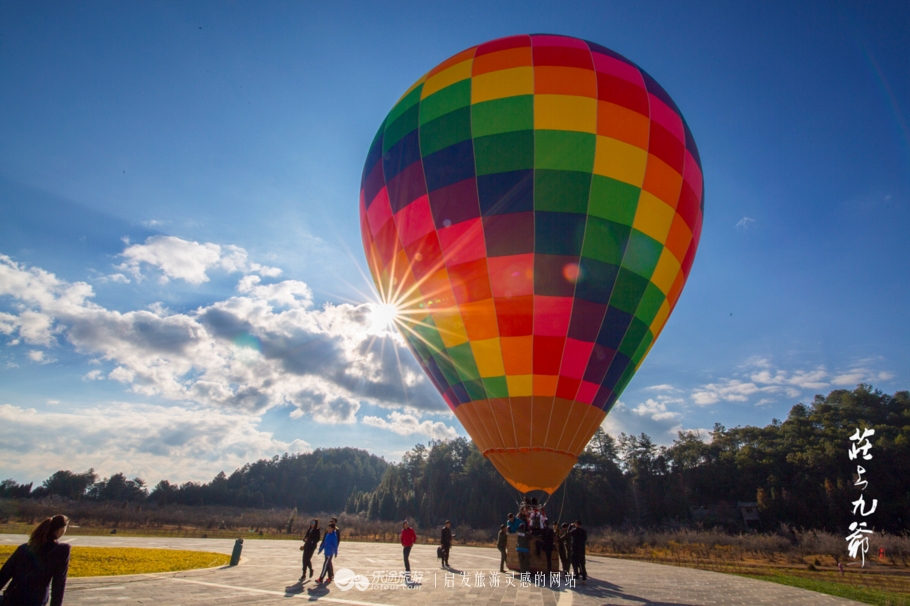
column 268, row 346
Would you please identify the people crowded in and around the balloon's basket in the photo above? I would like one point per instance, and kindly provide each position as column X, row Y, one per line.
column 532, row 527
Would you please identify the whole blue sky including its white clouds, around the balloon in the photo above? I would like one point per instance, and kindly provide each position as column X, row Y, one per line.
column 174, row 175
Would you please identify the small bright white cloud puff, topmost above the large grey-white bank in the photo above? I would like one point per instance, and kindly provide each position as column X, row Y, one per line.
column 180, row 259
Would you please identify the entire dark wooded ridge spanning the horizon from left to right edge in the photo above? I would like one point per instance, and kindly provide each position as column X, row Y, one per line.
column 796, row 470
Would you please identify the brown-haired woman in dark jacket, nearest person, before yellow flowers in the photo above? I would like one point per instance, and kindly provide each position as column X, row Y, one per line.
column 38, row 568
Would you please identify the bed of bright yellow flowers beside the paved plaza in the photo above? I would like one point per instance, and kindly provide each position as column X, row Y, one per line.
column 105, row 561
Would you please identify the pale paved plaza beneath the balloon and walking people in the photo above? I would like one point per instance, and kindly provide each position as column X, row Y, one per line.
column 269, row 570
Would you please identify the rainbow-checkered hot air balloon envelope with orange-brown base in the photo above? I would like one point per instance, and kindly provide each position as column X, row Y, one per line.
column 531, row 207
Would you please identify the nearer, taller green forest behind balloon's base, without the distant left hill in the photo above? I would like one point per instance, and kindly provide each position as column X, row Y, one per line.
column 797, row 472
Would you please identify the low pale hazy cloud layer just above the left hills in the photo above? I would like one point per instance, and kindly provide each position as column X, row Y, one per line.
column 177, row 443
